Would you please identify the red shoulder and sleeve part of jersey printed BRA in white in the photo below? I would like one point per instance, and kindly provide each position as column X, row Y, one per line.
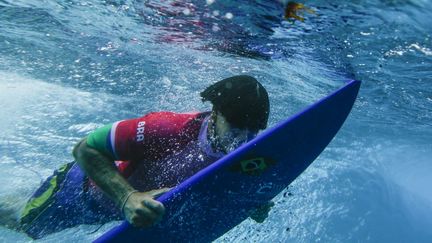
column 155, row 135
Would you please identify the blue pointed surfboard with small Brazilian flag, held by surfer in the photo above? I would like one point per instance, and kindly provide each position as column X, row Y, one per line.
column 221, row 196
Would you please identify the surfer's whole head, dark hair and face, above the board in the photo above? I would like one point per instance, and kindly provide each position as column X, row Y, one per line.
column 240, row 109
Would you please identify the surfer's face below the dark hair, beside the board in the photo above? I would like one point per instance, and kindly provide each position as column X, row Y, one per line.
column 230, row 137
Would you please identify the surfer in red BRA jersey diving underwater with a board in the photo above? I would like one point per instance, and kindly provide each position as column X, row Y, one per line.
column 121, row 167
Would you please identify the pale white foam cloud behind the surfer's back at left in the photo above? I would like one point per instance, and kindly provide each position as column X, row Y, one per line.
column 40, row 123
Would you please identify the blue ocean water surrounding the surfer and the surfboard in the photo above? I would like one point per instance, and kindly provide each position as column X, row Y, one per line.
column 70, row 66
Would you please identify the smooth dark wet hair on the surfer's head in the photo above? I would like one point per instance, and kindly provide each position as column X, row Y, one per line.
column 242, row 100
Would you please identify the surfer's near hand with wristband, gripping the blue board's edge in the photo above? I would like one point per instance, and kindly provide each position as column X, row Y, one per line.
column 141, row 210
